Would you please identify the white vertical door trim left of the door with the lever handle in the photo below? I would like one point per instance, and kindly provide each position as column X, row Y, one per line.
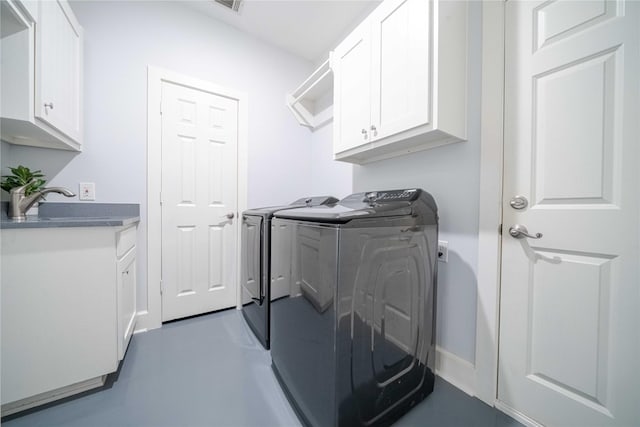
column 490, row 206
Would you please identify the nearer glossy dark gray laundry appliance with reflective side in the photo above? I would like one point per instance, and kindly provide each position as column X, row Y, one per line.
column 353, row 344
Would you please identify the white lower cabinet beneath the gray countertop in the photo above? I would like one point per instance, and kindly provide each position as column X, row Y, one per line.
column 68, row 310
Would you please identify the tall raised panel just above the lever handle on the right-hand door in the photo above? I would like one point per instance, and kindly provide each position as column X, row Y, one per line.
column 586, row 128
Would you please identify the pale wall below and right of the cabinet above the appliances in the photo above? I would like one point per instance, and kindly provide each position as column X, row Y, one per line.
column 451, row 174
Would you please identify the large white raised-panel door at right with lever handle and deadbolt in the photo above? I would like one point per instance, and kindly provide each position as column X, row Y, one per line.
column 570, row 299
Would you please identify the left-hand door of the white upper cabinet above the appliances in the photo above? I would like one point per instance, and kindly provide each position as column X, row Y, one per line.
column 352, row 89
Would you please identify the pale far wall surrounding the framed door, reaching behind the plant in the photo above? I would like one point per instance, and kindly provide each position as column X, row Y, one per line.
column 121, row 39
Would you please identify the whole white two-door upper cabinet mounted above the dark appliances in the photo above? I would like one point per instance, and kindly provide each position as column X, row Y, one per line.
column 400, row 81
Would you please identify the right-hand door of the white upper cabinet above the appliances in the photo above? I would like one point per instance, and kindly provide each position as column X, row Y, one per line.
column 400, row 66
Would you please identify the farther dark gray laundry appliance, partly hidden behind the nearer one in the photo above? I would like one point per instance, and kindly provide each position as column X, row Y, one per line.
column 256, row 263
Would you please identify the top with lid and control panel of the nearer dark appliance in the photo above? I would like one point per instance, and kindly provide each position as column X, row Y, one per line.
column 370, row 204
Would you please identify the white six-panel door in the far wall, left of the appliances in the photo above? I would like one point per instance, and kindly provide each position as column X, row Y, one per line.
column 199, row 201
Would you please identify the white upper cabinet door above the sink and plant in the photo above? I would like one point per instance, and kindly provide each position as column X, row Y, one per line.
column 59, row 68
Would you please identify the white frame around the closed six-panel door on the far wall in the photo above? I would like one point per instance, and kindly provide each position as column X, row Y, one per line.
column 151, row 318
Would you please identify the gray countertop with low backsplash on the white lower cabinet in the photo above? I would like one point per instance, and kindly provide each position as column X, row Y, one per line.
column 75, row 215
